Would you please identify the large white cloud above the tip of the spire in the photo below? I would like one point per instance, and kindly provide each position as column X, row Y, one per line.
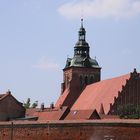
column 100, row 9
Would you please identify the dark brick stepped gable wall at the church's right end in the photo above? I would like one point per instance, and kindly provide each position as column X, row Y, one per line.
column 130, row 94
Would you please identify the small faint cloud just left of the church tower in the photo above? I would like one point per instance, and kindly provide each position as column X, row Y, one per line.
column 46, row 64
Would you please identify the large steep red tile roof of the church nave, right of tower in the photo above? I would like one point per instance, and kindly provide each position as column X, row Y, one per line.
column 102, row 92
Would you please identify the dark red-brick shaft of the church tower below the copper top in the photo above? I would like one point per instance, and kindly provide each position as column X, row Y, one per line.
column 75, row 79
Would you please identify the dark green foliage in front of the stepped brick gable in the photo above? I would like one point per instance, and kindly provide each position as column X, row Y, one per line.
column 129, row 111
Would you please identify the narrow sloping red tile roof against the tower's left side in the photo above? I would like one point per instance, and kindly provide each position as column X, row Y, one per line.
column 62, row 98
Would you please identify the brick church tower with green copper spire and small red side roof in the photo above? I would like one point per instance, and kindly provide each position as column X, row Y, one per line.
column 81, row 70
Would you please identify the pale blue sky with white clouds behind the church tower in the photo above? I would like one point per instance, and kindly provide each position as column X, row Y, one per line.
column 36, row 37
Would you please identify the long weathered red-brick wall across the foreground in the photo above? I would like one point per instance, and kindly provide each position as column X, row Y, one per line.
column 87, row 130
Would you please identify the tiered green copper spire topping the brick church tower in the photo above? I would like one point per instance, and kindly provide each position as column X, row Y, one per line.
column 81, row 52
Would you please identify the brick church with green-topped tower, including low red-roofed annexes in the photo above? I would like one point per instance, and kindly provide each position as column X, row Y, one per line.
column 84, row 96
